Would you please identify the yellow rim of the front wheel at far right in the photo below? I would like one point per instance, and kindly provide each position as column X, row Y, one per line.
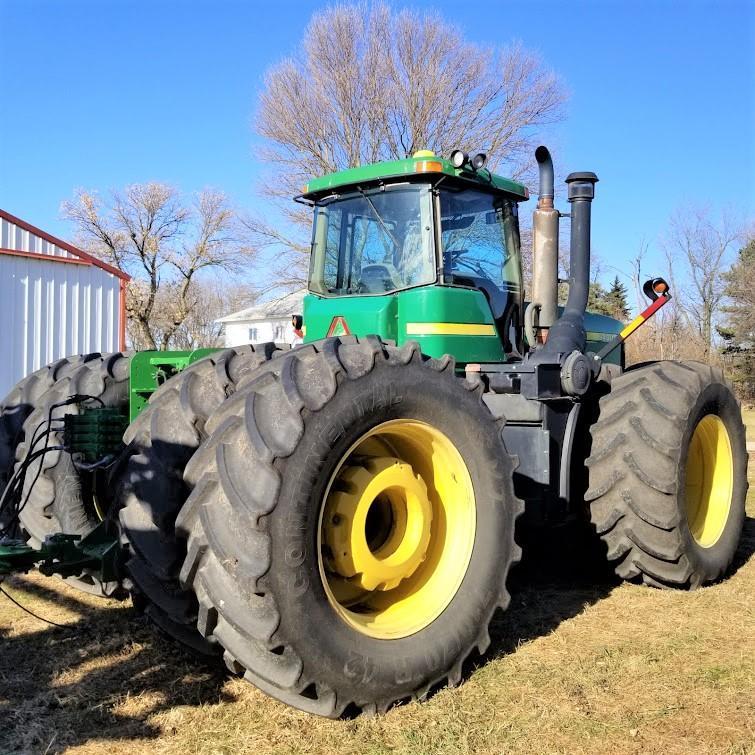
column 710, row 480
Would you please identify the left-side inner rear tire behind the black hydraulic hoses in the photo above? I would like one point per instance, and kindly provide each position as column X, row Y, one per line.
column 59, row 498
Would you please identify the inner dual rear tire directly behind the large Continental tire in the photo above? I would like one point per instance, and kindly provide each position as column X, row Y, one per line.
column 151, row 490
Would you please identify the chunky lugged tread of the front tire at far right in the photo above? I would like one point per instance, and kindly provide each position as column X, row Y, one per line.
column 633, row 470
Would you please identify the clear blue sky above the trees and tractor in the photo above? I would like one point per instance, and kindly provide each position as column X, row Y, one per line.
column 102, row 94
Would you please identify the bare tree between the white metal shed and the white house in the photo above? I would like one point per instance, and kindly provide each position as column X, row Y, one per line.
column 166, row 245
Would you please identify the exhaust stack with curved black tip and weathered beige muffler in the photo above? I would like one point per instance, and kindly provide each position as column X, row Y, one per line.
column 545, row 245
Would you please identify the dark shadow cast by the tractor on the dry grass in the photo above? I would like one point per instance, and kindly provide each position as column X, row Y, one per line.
column 108, row 672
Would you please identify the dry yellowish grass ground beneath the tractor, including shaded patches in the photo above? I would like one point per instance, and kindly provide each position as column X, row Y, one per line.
column 580, row 663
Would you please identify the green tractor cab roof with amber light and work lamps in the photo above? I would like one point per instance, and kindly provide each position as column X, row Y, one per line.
column 422, row 163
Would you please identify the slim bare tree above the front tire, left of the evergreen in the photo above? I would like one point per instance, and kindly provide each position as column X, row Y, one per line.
column 696, row 247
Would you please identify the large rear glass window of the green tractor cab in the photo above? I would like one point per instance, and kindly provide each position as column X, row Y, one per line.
column 373, row 242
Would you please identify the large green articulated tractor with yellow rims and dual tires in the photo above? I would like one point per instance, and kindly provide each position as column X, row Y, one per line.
column 337, row 520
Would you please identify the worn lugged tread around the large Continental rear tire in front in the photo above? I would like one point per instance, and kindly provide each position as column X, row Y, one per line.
column 222, row 531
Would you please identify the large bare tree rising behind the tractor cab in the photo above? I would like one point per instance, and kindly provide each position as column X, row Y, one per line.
column 373, row 83
